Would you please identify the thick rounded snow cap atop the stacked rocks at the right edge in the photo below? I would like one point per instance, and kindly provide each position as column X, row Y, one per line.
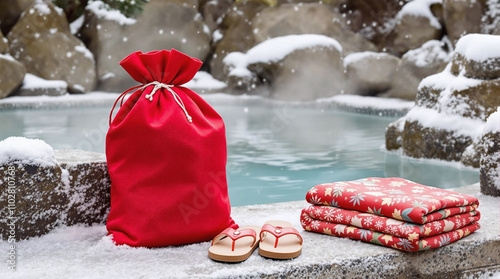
column 469, row 47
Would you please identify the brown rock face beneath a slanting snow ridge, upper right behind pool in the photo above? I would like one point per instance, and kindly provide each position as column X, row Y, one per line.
column 412, row 31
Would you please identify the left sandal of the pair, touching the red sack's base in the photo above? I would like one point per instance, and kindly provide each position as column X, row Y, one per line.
column 234, row 245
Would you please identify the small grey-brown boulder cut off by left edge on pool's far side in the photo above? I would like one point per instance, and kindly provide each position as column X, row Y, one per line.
column 12, row 75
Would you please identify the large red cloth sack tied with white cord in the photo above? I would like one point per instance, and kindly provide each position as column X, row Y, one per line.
column 166, row 154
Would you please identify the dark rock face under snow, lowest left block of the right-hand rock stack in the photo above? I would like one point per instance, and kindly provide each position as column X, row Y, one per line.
column 424, row 142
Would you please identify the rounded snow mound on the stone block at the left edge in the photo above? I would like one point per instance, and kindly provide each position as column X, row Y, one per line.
column 26, row 151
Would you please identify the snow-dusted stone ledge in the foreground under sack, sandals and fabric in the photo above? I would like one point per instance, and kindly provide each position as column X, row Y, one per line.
column 77, row 248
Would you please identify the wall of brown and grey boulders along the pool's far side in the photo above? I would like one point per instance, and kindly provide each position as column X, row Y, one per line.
column 392, row 44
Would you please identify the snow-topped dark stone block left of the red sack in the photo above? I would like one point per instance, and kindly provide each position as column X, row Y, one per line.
column 43, row 189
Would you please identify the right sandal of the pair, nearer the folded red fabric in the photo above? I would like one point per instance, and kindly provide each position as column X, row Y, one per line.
column 290, row 240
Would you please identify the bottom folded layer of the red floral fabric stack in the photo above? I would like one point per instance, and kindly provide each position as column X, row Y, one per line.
column 410, row 243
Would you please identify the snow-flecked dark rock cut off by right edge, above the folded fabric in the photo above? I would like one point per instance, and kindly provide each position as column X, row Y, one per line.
column 489, row 173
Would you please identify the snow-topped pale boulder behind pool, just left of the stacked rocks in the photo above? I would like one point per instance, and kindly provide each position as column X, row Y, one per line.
column 415, row 65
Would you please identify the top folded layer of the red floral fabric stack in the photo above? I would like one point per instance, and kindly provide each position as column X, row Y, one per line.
column 395, row 198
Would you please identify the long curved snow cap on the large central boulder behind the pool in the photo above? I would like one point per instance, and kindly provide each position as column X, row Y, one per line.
column 276, row 49
